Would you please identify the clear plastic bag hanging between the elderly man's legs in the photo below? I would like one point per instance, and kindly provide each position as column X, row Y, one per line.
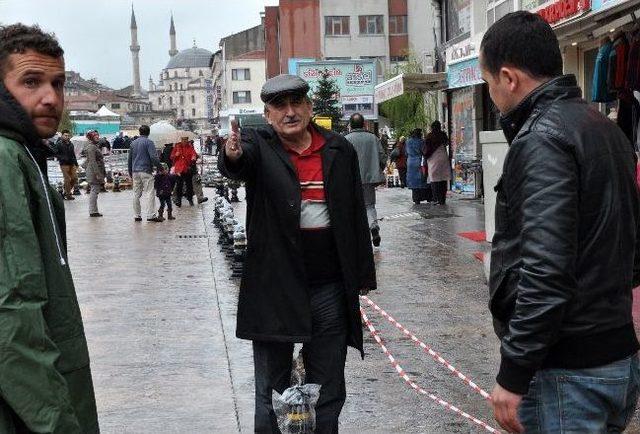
column 295, row 408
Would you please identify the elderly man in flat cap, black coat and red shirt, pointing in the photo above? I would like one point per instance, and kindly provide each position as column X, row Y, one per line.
column 309, row 251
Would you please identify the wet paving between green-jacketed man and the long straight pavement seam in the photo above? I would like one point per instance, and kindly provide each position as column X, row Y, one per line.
column 155, row 337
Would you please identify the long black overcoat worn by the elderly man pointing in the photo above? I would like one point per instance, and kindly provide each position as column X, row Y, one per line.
column 273, row 303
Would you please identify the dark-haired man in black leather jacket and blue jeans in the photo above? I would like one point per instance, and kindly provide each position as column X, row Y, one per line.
column 564, row 256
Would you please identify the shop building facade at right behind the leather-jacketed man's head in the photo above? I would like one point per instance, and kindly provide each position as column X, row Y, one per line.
column 583, row 28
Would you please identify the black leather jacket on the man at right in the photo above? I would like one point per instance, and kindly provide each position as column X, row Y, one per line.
column 563, row 260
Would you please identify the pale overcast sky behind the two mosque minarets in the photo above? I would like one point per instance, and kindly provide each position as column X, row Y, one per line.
column 95, row 33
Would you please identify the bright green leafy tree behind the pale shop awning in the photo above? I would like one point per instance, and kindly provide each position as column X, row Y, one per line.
column 412, row 109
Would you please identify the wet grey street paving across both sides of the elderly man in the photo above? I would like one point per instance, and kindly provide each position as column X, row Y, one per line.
column 159, row 307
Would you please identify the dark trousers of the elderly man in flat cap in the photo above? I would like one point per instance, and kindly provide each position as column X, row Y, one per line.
column 324, row 358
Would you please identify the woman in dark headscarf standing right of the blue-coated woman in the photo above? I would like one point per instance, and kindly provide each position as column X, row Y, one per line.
column 436, row 155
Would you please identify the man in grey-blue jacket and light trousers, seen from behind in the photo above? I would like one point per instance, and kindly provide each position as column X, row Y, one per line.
column 143, row 158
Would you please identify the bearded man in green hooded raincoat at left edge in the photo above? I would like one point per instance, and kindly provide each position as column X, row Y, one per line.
column 45, row 379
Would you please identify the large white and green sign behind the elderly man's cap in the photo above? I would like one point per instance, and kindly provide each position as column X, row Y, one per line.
column 355, row 78
